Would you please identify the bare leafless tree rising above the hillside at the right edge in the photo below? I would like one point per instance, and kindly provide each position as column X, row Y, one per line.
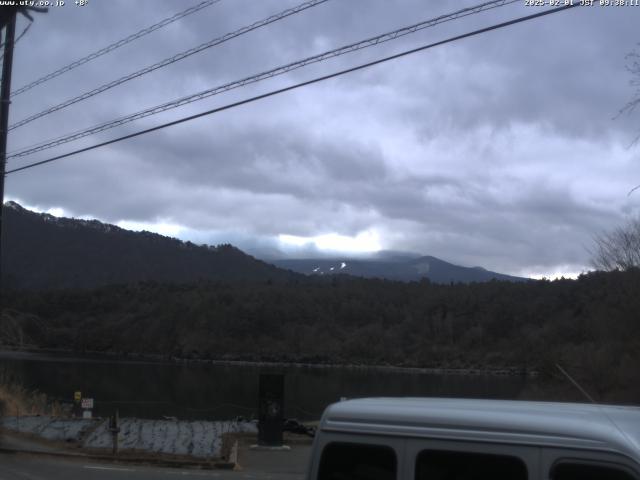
column 618, row 249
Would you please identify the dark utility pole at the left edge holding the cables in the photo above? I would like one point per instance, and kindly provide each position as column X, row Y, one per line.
column 5, row 100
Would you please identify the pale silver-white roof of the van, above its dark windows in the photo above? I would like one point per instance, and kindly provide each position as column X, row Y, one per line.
column 571, row 425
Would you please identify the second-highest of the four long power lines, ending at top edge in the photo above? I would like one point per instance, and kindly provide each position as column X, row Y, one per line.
column 169, row 61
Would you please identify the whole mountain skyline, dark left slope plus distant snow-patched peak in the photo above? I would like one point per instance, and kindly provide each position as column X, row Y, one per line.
column 42, row 251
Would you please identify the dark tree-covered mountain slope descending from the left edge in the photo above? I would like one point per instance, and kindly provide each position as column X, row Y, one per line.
column 43, row 251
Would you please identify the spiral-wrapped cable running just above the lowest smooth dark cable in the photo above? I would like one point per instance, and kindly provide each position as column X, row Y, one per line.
column 369, row 42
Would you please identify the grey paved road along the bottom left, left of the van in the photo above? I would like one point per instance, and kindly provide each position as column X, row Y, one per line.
column 35, row 467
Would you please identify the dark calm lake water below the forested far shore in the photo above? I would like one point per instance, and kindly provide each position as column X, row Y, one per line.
column 212, row 392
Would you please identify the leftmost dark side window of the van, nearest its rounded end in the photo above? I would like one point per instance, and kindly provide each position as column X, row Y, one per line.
column 352, row 461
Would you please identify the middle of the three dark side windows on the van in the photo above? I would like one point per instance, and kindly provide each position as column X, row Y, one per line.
column 443, row 465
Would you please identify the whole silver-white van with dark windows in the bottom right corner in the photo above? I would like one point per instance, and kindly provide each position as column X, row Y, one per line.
column 463, row 439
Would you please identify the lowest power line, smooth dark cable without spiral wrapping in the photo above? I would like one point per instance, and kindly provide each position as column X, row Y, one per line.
column 298, row 85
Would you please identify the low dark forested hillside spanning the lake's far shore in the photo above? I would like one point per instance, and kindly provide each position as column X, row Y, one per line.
column 591, row 326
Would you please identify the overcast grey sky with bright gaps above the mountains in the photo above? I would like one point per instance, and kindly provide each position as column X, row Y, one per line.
column 500, row 150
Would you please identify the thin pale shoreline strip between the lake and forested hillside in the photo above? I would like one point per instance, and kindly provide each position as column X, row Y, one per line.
column 120, row 357
